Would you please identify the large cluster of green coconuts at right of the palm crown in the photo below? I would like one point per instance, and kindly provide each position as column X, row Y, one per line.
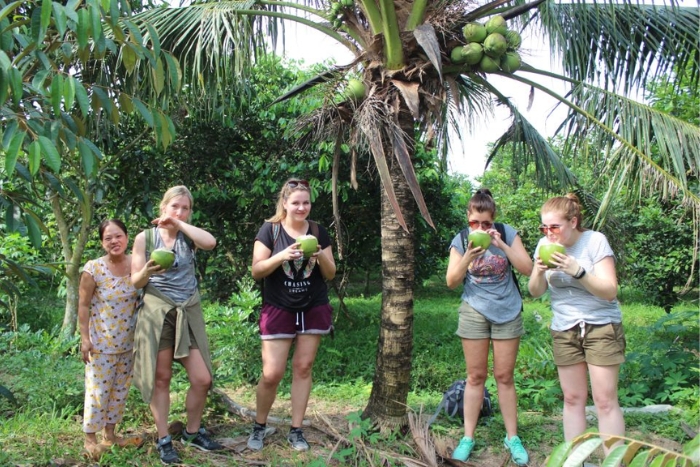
column 489, row 47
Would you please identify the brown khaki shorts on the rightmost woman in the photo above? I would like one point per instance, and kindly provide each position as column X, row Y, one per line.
column 597, row 344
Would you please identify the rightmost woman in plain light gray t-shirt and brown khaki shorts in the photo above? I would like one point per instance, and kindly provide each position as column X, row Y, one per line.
column 587, row 322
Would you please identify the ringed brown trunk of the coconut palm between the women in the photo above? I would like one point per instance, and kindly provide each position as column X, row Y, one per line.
column 387, row 403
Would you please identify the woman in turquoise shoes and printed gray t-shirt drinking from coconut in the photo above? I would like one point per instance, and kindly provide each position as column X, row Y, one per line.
column 489, row 316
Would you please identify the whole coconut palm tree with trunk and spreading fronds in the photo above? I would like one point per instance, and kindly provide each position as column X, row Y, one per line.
column 416, row 80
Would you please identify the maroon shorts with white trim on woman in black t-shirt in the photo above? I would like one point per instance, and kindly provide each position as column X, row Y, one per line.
column 276, row 323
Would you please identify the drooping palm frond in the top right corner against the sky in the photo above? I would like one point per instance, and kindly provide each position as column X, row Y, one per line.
column 622, row 44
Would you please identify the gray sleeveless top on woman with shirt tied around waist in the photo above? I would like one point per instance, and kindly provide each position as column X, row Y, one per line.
column 179, row 282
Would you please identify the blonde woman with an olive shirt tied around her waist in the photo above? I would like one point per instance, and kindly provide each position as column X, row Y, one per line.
column 170, row 326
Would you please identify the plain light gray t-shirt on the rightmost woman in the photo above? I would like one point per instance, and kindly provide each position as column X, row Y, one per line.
column 571, row 302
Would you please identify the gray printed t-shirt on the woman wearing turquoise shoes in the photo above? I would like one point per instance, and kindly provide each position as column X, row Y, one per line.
column 489, row 287
